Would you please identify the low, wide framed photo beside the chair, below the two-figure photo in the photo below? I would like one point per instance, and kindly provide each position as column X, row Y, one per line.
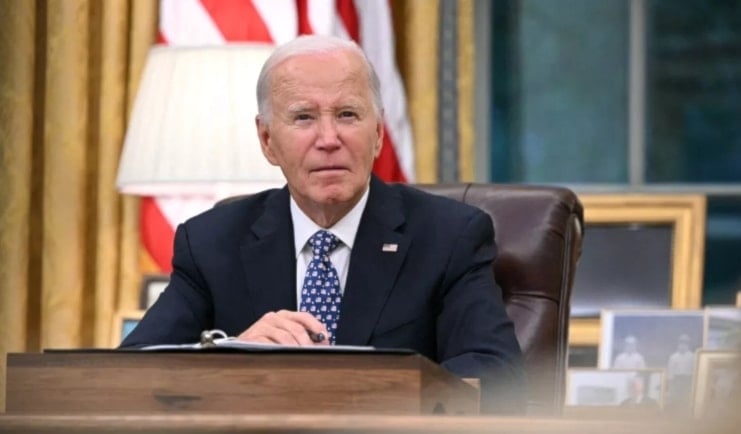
column 627, row 388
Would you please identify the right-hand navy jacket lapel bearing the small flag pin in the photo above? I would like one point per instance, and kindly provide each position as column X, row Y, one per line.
column 373, row 268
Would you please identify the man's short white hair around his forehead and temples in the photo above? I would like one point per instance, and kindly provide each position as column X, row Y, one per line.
column 308, row 44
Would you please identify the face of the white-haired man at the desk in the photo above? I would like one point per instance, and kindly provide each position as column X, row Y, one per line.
column 323, row 133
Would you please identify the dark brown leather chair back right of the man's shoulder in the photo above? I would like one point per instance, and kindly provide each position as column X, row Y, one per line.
column 538, row 231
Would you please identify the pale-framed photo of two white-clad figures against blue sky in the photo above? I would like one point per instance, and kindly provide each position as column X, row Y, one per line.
column 655, row 339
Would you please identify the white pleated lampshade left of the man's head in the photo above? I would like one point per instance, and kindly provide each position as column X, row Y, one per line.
column 192, row 131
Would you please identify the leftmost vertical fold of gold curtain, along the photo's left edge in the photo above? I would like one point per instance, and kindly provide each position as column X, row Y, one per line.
column 17, row 29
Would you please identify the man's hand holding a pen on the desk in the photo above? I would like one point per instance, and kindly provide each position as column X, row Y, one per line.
column 287, row 327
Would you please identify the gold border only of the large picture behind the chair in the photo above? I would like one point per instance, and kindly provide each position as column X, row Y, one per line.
column 685, row 213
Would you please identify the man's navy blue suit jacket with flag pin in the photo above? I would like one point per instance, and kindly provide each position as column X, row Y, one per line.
column 435, row 294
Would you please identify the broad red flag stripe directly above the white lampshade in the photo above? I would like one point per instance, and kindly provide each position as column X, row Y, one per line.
column 238, row 20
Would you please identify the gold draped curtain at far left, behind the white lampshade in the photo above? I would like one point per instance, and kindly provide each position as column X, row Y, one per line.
column 66, row 80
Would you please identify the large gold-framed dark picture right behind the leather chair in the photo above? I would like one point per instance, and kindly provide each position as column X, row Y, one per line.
column 641, row 251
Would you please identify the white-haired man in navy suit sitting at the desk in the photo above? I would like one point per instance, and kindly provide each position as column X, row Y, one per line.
column 337, row 256
